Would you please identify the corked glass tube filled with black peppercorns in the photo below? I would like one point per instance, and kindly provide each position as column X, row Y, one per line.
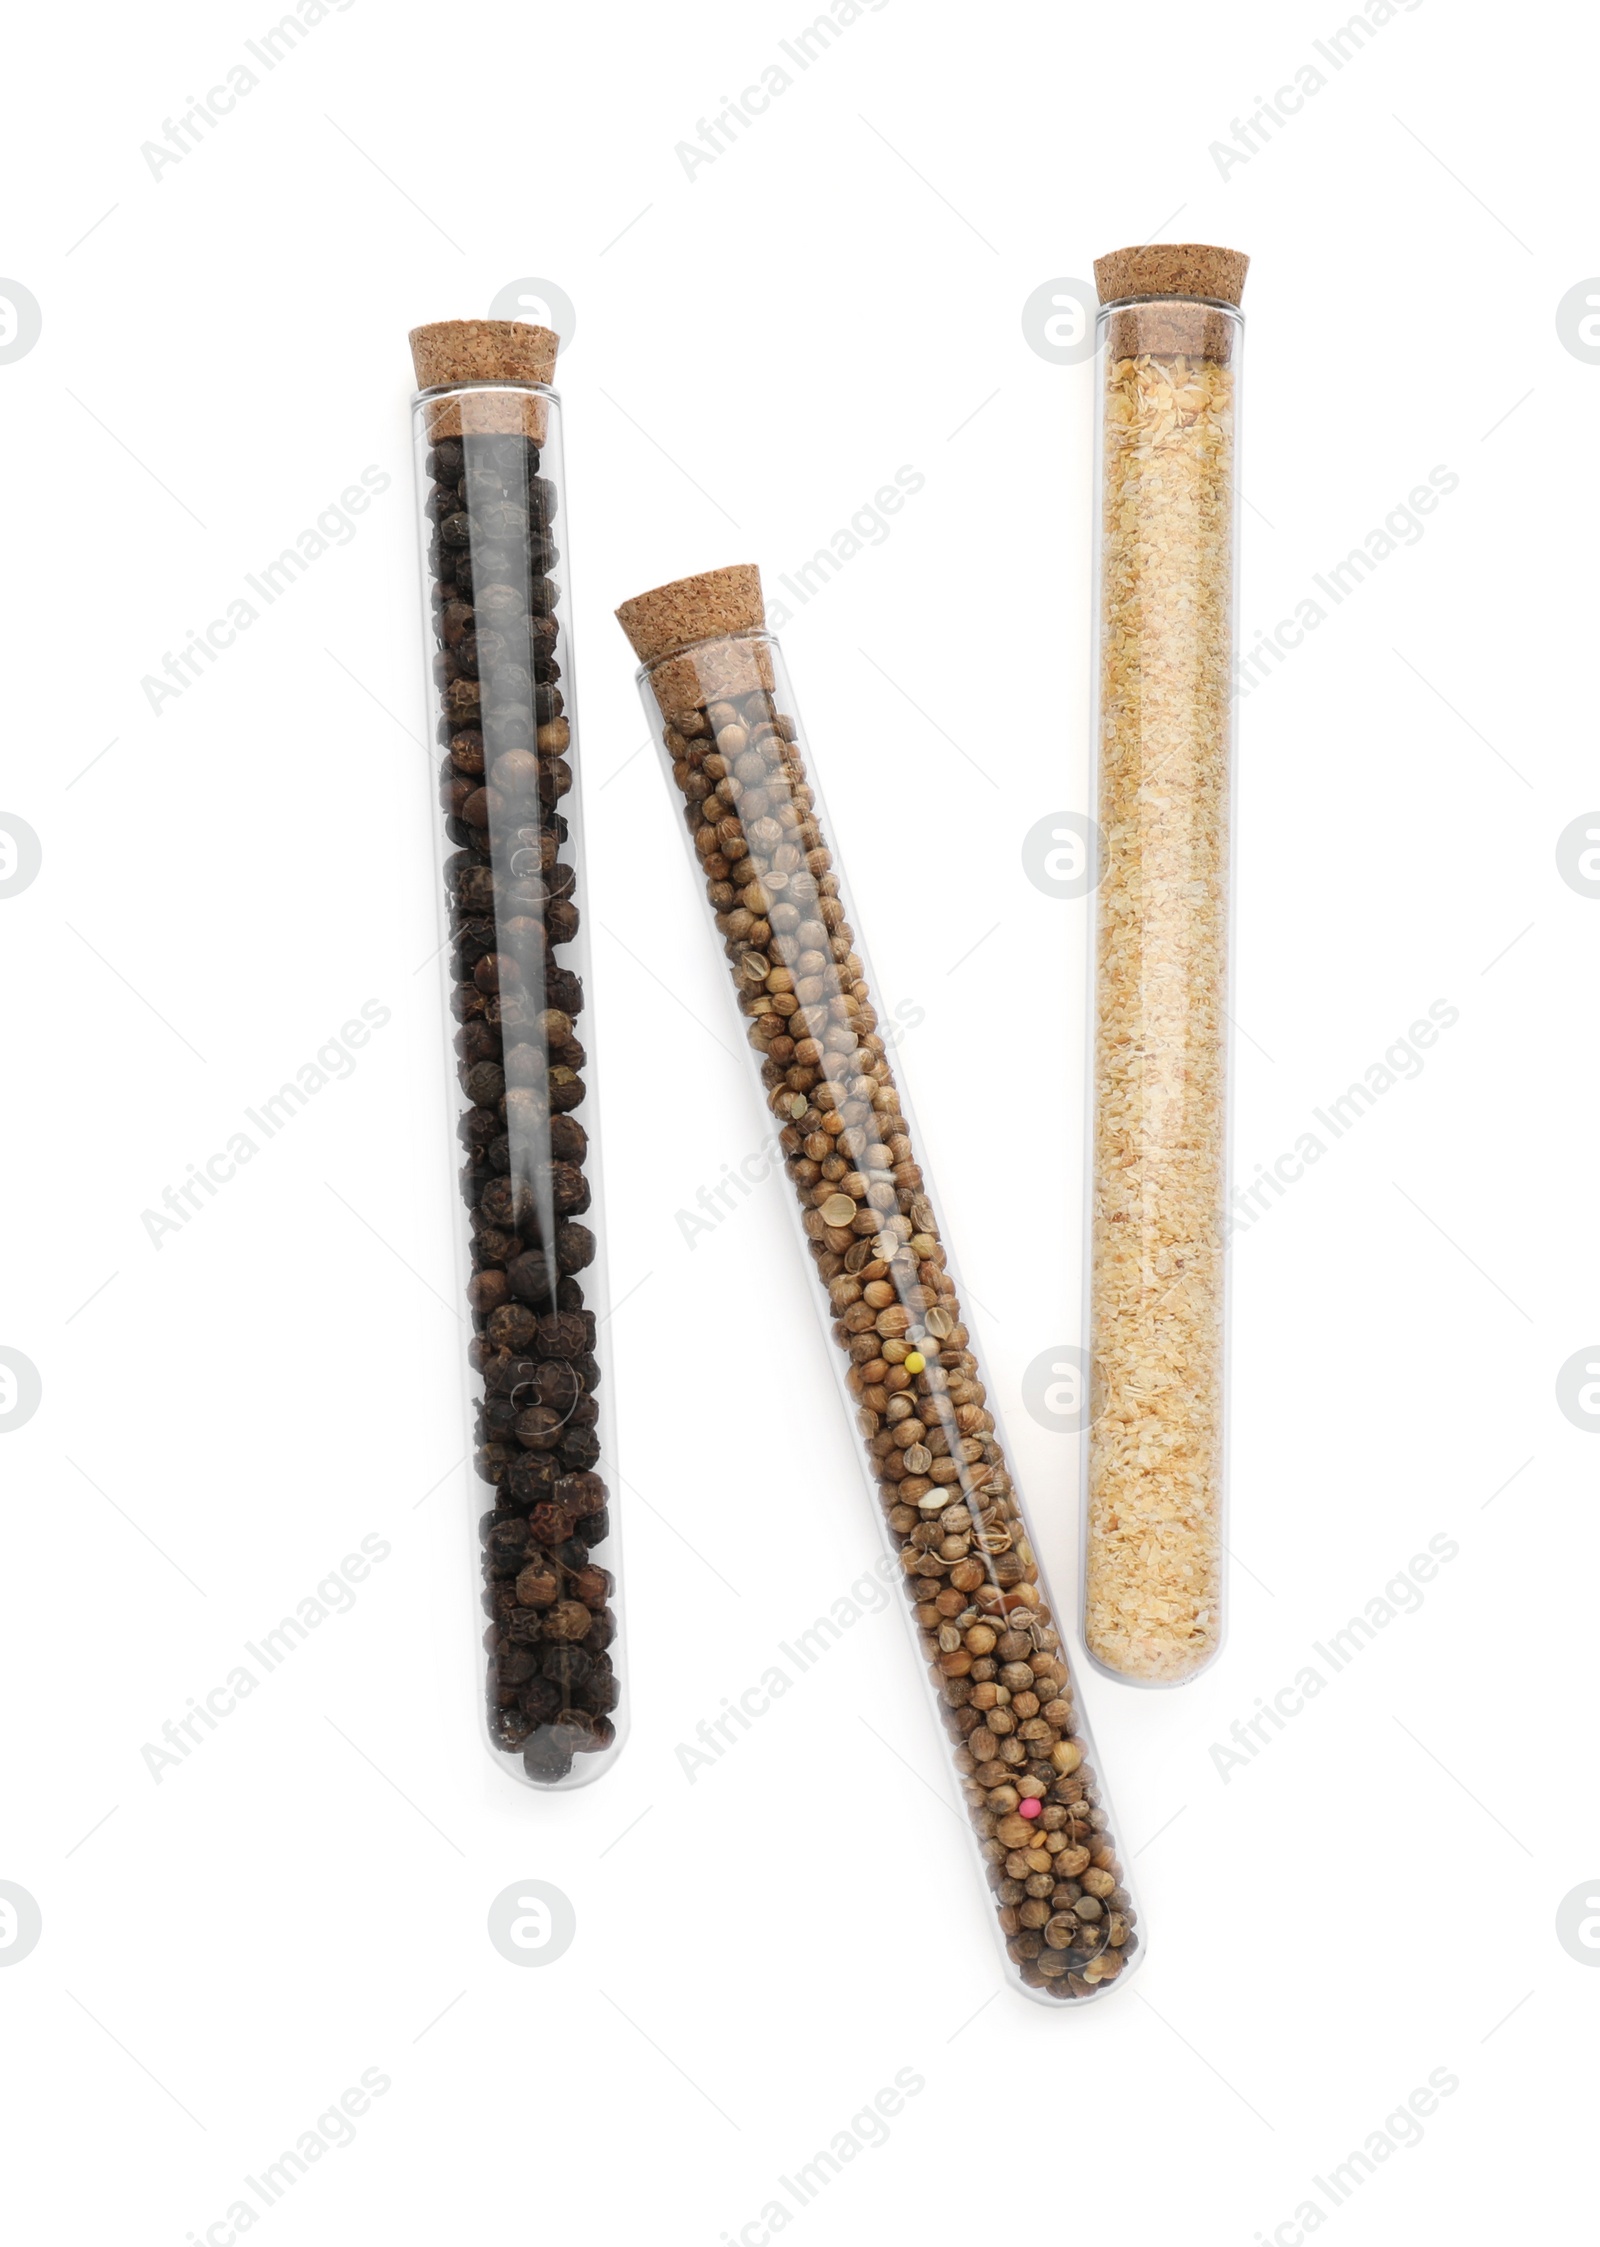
column 516, row 956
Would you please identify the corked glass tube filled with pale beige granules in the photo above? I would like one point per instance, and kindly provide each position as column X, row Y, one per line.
column 1170, row 347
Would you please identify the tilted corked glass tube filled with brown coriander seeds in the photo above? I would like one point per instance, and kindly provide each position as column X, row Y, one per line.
column 718, row 702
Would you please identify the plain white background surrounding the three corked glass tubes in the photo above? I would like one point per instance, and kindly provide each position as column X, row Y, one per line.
column 758, row 349
